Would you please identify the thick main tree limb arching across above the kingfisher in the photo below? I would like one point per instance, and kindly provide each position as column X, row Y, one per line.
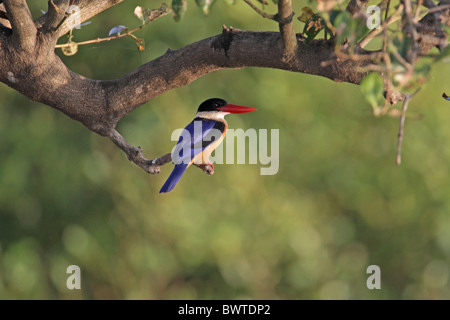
column 101, row 104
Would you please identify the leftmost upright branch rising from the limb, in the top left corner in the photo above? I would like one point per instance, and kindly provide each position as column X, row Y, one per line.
column 24, row 30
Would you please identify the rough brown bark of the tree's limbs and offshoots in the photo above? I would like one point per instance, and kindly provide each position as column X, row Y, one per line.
column 29, row 64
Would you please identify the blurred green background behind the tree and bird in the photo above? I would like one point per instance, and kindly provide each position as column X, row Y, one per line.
column 337, row 205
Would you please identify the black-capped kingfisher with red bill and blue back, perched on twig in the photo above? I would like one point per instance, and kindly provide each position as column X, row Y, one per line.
column 199, row 138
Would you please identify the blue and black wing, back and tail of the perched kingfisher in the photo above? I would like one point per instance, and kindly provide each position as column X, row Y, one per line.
column 194, row 139
